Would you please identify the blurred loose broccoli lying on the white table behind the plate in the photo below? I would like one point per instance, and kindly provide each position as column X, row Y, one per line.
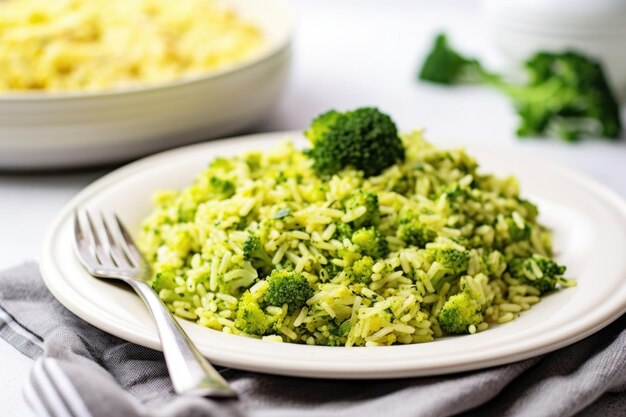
column 567, row 94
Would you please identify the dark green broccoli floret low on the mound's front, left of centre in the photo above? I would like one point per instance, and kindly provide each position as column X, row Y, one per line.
column 289, row 288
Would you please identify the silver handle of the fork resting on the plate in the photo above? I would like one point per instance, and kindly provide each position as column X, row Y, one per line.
column 190, row 372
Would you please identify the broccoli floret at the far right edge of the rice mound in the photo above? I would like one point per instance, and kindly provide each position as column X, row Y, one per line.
column 537, row 271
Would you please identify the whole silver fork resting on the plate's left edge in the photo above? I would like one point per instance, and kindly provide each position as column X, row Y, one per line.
column 106, row 250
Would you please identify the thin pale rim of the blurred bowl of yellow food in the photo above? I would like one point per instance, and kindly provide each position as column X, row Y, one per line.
column 272, row 50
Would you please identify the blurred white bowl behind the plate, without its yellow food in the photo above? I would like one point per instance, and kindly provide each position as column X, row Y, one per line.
column 62, row 130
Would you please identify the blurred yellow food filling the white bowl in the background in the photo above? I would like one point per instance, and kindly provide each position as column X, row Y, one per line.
column 91, row 45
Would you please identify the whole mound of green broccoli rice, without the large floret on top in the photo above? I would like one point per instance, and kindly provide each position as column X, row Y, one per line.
column 262, row 245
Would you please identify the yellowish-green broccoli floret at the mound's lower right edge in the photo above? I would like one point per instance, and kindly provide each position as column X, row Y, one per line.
column 459, row 312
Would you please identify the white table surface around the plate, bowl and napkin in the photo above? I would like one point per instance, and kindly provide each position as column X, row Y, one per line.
column 346, row 54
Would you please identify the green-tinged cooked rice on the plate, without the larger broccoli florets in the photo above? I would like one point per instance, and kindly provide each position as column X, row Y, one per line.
column 199, row 237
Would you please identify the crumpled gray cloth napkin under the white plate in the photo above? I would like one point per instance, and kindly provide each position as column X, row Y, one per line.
column 101, row 375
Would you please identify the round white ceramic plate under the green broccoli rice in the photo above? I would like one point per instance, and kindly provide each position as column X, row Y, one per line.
column 588, row 220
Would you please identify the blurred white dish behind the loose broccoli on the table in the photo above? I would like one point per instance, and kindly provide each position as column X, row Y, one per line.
column 597, row 28
